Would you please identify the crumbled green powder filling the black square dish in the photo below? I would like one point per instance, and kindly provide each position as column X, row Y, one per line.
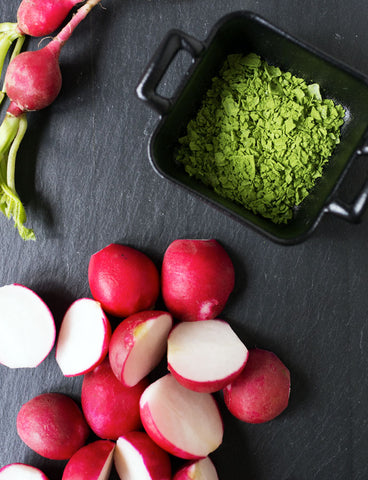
column 261, row 137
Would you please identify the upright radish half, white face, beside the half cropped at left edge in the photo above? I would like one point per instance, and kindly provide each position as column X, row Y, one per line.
column 84, row 337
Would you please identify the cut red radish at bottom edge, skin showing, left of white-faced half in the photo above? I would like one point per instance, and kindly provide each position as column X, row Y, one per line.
column 93, row 462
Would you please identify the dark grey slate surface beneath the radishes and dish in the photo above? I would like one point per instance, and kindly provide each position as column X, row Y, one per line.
column 86, row 181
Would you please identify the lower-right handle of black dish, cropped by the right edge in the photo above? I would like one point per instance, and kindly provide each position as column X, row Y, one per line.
column 352, row 212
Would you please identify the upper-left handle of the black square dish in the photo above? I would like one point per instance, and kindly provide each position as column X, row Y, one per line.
column 174, row 41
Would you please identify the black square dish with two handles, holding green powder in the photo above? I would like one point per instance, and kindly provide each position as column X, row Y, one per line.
column 245, row 32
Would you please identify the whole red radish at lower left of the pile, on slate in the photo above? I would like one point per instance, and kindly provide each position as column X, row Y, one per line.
column 52, row 425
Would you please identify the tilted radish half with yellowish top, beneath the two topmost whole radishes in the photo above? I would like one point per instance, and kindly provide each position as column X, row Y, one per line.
column 138, row 344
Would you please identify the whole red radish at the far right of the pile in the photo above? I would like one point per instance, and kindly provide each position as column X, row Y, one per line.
column 261, row 392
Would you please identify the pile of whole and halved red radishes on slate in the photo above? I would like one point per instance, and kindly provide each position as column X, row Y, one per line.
column 141, row 417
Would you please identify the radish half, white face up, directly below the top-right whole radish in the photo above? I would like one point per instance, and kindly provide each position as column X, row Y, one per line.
column 205, row 356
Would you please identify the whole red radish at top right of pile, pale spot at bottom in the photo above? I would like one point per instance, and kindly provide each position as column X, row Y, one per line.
column 197, row 279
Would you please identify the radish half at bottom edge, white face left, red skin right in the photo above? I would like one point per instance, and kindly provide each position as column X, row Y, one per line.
column 137, row 456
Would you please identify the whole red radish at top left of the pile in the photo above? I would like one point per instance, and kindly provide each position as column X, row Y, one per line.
column 124, row 280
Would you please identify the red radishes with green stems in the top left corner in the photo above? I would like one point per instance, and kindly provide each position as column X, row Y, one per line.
column 32, row 82
